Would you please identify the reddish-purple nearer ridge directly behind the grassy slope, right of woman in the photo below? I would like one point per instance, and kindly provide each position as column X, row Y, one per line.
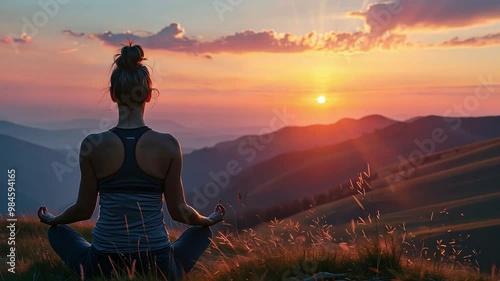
column 291, row 176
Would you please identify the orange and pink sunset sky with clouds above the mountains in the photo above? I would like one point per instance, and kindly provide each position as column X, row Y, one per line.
column 230, row 63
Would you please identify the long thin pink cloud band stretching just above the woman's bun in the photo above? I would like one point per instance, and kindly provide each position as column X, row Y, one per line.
column 173, row 38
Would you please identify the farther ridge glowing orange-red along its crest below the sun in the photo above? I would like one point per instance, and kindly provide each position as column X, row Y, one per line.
column 251, row 149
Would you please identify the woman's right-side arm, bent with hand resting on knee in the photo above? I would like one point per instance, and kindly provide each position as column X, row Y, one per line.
column 173, row 191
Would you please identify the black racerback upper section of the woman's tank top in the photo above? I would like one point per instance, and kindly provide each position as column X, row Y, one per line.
column 130, row 178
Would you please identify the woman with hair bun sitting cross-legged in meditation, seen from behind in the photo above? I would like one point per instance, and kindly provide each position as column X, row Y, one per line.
column 132, row 168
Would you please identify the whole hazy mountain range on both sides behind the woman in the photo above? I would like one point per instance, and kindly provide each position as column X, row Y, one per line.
column 289, row 164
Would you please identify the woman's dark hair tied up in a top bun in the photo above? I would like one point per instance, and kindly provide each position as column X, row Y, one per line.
column 130, row 79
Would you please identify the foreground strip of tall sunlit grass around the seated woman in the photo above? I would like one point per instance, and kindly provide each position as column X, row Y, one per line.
column 251, row 256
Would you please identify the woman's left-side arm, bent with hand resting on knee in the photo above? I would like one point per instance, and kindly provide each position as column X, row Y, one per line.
column 84, row 206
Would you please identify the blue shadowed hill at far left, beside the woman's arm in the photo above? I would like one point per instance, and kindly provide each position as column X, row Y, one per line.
column 37, row 182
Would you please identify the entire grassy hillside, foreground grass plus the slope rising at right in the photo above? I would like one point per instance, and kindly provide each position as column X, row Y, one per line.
column 440, row 224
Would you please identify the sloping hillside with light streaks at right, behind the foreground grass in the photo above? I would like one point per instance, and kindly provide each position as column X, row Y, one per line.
column 454, row 197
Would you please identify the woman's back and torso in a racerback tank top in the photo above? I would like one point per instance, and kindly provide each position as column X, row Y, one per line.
column 130, row 166
